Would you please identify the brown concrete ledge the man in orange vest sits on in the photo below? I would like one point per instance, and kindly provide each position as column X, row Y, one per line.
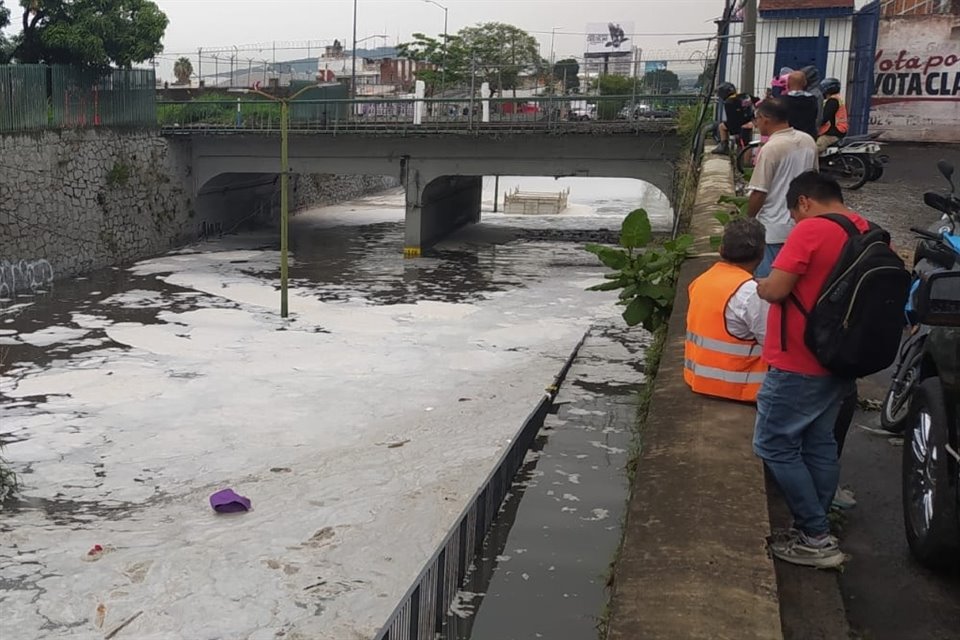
column 694, row 562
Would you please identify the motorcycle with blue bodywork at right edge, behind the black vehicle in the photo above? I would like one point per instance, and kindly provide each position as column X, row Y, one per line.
column 936, row 252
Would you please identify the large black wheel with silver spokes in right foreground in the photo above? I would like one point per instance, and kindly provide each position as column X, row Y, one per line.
column 929, row 489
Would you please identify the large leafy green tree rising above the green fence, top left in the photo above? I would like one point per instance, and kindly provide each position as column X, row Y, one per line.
column 90, row 33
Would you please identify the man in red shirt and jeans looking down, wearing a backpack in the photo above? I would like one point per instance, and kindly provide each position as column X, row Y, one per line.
column 799, row 402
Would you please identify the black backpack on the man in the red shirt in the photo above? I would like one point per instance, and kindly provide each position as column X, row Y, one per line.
column 855, row 326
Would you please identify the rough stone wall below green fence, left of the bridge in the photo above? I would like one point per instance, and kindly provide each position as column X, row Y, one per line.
column 84, row 199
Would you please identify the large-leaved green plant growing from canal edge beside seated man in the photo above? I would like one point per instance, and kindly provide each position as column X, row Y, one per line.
column 645, row 275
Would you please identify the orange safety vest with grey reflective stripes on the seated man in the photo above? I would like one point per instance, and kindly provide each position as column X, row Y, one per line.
column 717, row 363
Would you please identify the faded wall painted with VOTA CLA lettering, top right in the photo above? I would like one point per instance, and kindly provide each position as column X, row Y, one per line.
column 916, row 80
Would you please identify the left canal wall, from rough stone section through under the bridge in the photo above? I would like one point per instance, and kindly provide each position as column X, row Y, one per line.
column 76, row 200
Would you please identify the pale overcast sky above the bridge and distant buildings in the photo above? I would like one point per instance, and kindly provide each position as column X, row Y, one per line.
column 658, row 24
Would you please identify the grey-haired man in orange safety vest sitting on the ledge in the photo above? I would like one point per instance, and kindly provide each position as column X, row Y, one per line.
column 726, row 320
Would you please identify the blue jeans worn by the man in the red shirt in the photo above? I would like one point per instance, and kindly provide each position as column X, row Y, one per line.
column 796, row 415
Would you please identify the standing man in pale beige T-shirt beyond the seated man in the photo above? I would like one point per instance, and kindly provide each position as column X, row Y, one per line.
column 787, row 154
